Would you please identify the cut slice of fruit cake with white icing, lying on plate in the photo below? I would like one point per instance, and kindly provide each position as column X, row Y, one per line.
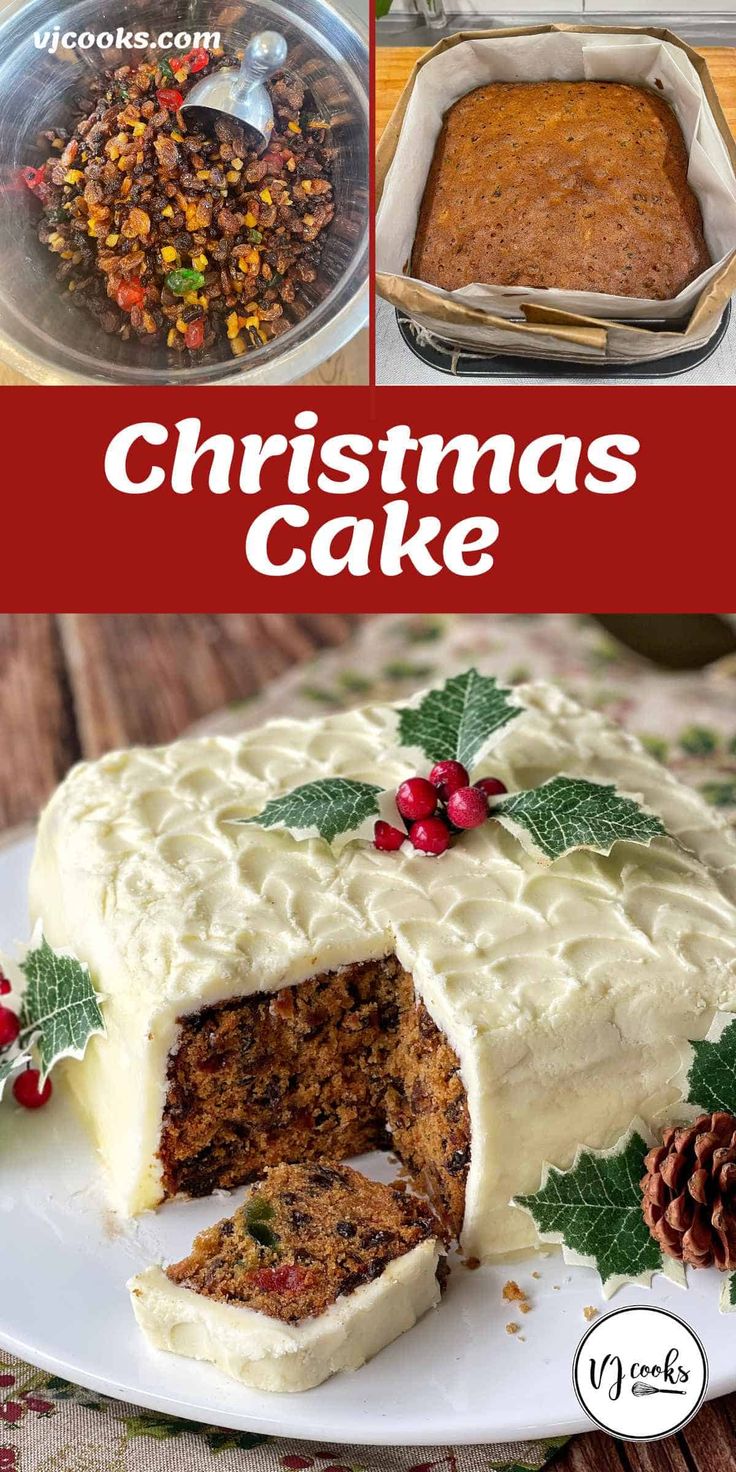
column 314, row 1274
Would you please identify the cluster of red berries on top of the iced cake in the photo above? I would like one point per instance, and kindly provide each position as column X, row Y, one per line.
column 436, row 807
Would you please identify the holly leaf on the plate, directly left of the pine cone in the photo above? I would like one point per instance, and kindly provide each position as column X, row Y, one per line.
column 595, row 1212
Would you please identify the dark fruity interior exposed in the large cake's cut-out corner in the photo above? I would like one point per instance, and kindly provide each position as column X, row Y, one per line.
column 335, row 1066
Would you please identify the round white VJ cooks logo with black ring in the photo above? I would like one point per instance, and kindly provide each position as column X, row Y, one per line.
column 641, row 1373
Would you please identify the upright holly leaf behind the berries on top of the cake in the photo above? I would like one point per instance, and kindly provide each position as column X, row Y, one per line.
column 459, row 721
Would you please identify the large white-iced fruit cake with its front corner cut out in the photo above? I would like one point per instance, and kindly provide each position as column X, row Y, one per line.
column 272, row 999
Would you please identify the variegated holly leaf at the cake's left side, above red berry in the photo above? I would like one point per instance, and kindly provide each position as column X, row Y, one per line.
column 60, row 1008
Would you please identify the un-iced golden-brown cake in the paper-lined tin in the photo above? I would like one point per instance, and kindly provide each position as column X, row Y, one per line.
column 576, row 186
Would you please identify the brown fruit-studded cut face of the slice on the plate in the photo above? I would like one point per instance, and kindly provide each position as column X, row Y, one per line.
column 304, row 1237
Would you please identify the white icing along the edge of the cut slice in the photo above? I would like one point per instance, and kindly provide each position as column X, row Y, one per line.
column 270, row 1355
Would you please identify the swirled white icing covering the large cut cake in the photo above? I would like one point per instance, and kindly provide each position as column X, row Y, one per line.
column 567, row 991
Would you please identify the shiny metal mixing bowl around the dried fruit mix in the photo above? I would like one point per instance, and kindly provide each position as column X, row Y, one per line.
column 48, row 339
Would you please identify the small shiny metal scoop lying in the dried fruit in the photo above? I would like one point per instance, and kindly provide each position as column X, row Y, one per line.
column 241, row 96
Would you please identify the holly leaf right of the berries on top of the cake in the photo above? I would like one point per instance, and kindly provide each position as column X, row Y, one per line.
column 569, row 813
